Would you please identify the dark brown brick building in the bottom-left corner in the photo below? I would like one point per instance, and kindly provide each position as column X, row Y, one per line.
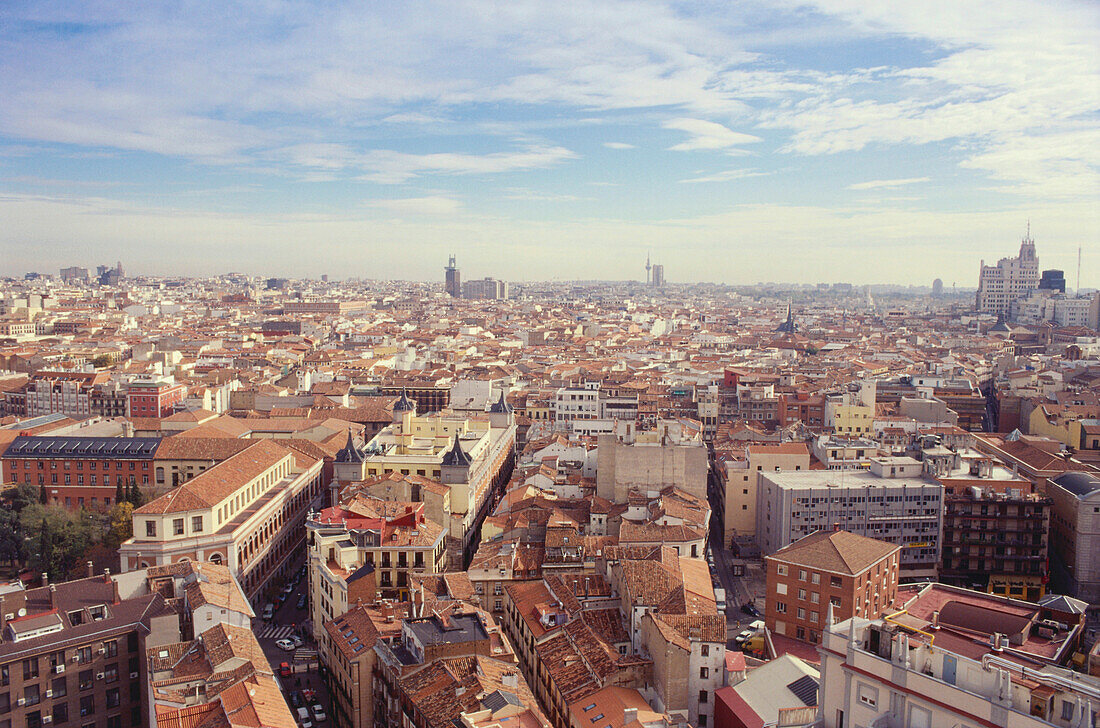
column 73, row 654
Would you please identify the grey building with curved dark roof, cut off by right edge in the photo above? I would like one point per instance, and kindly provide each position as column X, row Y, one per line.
column 1075, row 534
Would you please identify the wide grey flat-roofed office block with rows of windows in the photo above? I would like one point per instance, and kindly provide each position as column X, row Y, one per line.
column 889, row 503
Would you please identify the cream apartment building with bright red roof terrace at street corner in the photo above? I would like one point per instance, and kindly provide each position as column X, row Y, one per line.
column 366, row 548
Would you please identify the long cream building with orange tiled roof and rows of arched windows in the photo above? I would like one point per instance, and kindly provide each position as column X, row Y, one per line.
column 247, row 513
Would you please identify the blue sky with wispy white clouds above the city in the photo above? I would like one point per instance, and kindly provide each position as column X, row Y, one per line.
column 732, row 142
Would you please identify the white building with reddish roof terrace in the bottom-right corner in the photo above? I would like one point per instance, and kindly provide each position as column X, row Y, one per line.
column 954, row 658
